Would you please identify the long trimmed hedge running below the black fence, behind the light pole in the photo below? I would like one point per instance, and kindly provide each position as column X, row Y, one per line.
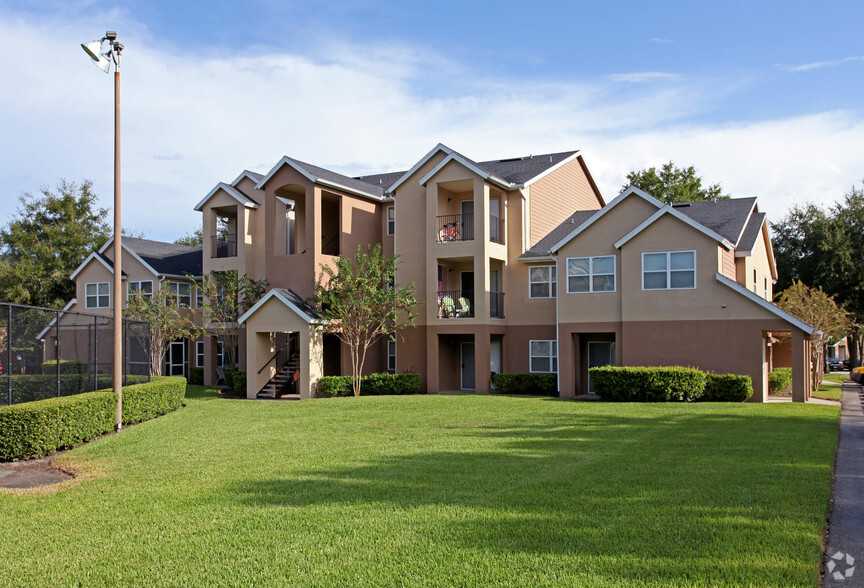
column 36, row 429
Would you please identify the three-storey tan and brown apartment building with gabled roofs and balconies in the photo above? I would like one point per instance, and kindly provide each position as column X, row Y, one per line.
column 485, row 243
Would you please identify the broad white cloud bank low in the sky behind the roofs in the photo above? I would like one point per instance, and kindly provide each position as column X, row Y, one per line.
column 191, row 121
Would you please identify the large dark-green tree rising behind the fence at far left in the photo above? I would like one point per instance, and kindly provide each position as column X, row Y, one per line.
column 45, row 241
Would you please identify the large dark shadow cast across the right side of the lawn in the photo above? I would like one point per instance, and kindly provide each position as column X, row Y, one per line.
column 736, row 498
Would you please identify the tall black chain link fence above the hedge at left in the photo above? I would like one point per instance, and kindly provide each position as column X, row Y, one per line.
column 46, row 353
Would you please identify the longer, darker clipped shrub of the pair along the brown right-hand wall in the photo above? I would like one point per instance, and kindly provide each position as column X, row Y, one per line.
column 648, row 384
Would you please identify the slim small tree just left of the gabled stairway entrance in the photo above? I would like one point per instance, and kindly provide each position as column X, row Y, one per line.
column 226, row 297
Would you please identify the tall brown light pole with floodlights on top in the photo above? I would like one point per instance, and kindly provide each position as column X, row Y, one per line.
column 103, row 61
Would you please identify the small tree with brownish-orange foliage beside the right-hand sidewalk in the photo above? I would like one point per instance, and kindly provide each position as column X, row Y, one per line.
column 821, row 312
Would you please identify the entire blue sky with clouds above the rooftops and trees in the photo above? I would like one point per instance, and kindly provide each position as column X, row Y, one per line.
column 762, row 97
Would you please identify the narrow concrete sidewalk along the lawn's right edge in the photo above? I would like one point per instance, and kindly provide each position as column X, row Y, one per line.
column 844, row 552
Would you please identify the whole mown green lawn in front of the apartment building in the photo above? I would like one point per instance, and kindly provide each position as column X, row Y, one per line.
column 436, row 490
